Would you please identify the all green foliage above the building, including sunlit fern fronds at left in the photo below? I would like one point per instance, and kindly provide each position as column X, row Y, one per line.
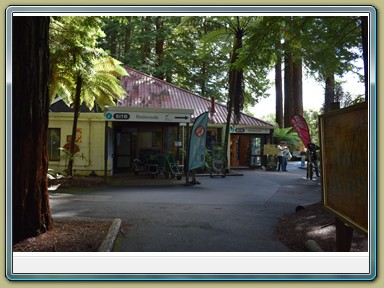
column 228, row 57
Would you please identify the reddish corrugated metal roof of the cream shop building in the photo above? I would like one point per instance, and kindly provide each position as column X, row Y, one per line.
column 144, row 90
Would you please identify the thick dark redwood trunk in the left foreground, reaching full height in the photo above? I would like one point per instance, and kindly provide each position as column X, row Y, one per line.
column 31, row 213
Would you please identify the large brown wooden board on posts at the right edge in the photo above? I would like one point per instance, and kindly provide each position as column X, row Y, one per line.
column 344, row 162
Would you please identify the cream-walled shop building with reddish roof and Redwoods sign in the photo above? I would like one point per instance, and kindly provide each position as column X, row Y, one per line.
column 153, row 118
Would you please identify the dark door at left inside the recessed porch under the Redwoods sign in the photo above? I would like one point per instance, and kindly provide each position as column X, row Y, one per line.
column 123, row 148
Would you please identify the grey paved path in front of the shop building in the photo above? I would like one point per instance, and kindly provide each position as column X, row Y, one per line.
column 231, row 214
